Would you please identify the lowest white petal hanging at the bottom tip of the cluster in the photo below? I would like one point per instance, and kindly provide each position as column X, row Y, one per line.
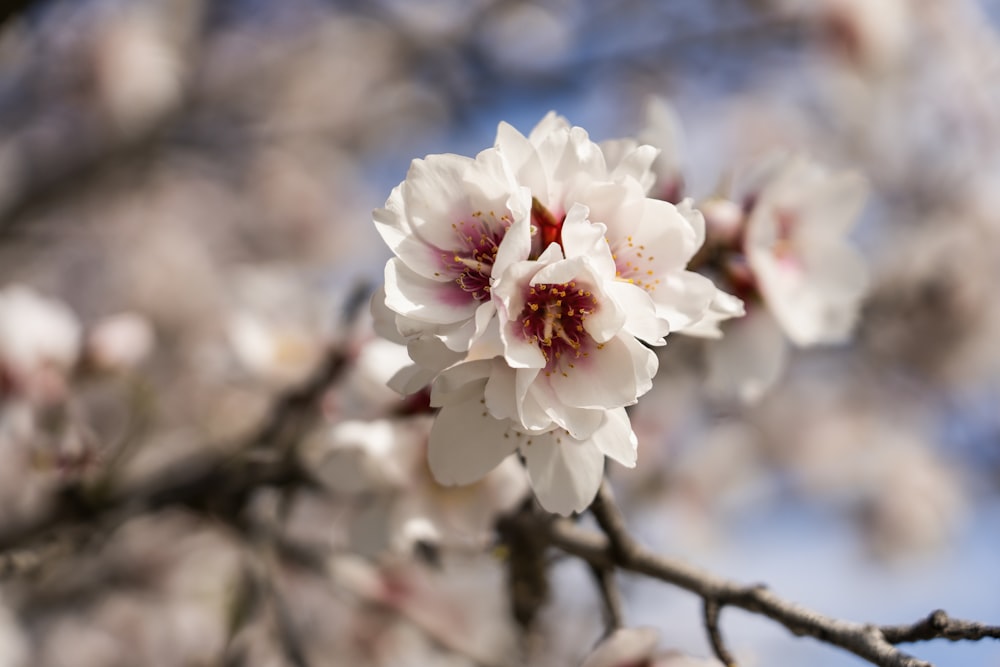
column 564, row 473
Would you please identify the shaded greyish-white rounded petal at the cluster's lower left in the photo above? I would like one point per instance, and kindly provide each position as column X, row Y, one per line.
column 466, row 443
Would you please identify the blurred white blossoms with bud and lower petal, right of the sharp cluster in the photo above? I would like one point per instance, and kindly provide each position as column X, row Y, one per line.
column 790, row 252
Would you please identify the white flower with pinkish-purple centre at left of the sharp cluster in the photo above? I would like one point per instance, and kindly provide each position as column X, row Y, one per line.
column 445, row 224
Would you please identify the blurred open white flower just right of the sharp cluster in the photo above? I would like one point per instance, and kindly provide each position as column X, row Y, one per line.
column 811, row 278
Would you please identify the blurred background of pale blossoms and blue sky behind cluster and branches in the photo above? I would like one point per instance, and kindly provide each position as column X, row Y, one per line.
column 185, row 213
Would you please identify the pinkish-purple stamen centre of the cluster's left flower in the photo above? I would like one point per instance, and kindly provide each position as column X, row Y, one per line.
column 472, row 262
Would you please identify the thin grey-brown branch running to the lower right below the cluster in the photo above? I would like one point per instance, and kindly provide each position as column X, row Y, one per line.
column 874, row 643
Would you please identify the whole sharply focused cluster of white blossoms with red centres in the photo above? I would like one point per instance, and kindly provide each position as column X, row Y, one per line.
column 529, row 283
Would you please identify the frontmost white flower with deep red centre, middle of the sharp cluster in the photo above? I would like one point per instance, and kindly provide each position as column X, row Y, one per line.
column 568, row 351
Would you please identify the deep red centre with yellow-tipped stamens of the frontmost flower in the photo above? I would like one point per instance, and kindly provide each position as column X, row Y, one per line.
column 553, row 318
